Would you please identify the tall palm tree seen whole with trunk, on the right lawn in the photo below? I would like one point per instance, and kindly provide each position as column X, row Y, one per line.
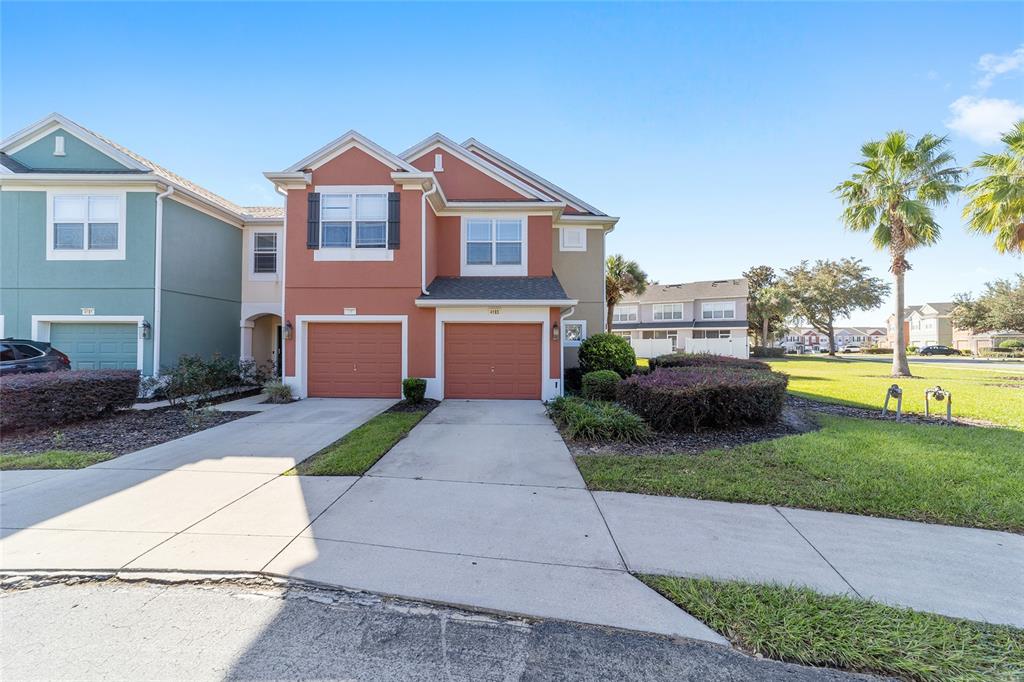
column 892, row 195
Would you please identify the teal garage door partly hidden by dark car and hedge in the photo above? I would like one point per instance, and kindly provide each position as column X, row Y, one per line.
column 98, row 346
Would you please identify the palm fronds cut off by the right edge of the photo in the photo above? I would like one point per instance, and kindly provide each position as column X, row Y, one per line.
column 997, row 202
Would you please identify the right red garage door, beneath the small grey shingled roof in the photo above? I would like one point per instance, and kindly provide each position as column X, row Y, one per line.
column 493, row 361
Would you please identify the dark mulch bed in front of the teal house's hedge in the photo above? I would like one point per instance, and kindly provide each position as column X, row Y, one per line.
column 123, row 433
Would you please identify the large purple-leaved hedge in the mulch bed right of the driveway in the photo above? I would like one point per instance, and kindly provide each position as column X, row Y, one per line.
column 689, row 399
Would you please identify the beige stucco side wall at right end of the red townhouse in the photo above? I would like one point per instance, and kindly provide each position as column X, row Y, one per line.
column 582, row 275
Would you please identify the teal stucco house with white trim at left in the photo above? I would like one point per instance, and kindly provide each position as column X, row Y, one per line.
column 115, row 261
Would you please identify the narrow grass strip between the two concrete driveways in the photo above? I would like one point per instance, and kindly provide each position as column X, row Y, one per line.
column 359, row 450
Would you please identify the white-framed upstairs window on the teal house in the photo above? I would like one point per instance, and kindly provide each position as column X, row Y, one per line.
column 87, row 228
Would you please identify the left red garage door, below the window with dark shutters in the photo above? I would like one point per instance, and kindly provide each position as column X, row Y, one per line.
column 355, row 360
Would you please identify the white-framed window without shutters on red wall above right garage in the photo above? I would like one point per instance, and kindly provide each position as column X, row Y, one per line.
column 494, row 246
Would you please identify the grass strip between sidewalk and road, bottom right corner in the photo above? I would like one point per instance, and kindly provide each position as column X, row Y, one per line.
column 801, row 626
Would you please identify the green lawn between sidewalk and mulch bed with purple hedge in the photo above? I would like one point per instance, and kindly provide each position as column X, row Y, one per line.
column 964, row 477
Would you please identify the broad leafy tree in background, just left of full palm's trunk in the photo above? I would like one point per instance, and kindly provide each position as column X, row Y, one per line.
column 830, row 289
